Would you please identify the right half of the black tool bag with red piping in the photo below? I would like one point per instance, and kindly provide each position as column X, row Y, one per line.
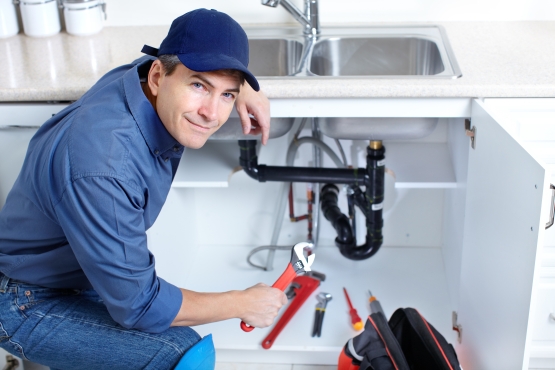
column 423, row 346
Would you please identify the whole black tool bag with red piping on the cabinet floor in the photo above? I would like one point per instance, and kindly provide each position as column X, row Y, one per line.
column 408, row 341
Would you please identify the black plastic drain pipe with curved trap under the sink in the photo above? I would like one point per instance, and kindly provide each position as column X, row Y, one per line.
column 370, row 202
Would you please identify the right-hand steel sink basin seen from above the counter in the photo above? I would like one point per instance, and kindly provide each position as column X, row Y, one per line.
column 376, row 56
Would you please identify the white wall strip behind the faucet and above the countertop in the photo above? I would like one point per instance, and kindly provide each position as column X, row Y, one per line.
column 162, row 12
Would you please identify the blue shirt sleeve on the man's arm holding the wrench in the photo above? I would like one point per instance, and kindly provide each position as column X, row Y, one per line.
column 102, row 218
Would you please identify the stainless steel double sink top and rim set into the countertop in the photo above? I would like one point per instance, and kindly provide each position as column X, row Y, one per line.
column 361, row 52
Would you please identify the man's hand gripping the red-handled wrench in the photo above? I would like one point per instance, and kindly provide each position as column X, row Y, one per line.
column 259, row 305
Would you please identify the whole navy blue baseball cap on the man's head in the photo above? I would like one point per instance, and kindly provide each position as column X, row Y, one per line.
column 207, row 40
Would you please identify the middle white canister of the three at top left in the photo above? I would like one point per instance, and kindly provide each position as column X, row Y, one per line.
column 40, row 17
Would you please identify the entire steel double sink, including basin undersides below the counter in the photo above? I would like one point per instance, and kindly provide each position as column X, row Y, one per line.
column 419, row 52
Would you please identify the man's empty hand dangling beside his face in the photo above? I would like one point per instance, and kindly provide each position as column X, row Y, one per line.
column 257, row 105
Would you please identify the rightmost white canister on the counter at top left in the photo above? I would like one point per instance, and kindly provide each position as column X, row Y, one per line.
column 84, row 17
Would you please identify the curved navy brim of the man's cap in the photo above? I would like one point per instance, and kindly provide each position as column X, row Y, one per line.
column 213, row 62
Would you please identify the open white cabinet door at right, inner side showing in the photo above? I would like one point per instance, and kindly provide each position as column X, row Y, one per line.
column 504, row 196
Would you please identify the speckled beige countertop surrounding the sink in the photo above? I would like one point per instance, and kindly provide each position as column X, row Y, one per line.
column 497, row 59
